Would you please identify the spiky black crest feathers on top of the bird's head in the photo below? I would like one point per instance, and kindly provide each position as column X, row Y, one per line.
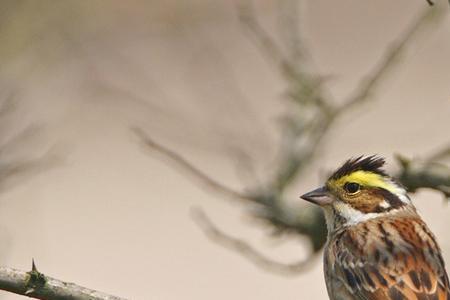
column 371, row 163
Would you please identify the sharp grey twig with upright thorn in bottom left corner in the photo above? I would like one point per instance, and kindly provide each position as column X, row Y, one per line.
column 34, row 284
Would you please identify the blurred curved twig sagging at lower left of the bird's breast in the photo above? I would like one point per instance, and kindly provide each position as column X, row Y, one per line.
column 246, row 250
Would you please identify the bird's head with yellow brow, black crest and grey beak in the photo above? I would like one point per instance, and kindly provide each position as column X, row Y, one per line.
column 359, row 190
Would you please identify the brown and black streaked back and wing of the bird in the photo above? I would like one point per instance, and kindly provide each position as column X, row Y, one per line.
column 389, row 259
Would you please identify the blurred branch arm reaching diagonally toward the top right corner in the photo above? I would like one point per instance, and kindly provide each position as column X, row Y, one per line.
column 370, row 82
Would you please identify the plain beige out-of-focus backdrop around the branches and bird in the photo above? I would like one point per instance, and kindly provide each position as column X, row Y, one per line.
column 116, row 218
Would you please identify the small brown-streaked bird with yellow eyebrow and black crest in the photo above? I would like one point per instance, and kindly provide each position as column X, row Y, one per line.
column 378, row 247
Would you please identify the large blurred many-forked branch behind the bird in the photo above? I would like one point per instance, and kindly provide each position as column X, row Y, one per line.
column 312, row 113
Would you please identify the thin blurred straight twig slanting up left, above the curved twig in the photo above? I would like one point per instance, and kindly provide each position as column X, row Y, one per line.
column 181, row 162
